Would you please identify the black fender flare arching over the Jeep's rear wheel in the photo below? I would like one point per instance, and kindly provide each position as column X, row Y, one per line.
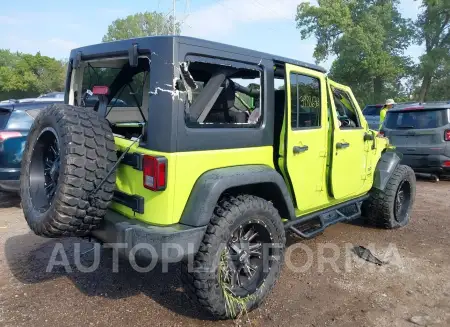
column 212, row 184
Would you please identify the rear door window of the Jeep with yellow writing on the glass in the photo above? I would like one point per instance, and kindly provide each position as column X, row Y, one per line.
column 305, row 101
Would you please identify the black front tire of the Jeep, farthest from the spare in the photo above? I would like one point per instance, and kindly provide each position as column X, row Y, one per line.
column 379, row 209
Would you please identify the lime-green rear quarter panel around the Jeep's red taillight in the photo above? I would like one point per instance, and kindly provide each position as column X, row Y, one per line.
column 184, row 168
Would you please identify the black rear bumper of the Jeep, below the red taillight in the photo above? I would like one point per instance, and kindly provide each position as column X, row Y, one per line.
column 132, row 237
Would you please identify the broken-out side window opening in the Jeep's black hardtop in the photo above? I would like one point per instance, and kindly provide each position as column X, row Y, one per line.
column 221, row 96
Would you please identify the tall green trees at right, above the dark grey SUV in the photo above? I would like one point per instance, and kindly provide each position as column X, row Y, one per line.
column 369, row 39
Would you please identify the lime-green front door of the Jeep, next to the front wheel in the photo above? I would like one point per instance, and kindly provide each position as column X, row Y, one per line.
column 349, row 157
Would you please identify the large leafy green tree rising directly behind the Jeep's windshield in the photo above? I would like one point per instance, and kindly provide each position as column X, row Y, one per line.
column 367, row 37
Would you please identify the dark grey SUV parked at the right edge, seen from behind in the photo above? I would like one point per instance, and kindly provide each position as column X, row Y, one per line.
column 422, row 134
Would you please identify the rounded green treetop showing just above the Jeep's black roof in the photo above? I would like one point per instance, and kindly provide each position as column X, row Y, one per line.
column 139, row 25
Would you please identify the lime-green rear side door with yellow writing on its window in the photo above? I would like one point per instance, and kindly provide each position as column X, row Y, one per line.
column 306, row 127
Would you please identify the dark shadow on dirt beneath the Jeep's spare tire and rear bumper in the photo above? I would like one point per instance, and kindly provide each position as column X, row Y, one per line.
column 28, row 257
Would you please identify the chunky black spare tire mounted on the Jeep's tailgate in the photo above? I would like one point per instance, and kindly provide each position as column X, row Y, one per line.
column 69, row 151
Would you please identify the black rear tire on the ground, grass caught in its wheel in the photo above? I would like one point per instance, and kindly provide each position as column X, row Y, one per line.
column 201, row 284
